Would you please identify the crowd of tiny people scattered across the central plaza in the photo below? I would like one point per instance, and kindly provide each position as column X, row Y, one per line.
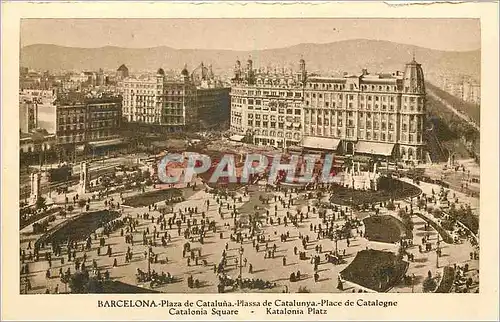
column 280, row 216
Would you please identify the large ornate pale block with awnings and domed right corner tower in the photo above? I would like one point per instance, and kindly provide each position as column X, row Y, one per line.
column 379, row 114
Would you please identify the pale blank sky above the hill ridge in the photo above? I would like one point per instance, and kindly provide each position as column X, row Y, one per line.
column 248, row 34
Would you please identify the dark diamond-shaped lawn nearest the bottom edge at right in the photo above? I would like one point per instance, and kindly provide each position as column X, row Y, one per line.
column 376, row 270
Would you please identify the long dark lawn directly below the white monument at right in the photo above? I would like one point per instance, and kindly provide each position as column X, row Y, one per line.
column 388, row 189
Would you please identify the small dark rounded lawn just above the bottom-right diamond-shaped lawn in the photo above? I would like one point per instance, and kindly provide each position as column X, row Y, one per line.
column 386, row 229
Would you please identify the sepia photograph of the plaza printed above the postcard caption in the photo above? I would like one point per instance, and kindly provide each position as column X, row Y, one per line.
column 259, row 155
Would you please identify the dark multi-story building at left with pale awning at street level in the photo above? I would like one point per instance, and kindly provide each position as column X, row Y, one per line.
column 89, row 124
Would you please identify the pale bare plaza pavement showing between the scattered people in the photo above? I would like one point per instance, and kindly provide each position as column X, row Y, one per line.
column 267, row 269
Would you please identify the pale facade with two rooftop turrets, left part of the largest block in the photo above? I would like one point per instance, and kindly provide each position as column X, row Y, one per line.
column 266, row 106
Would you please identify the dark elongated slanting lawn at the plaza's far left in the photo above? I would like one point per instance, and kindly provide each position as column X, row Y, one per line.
column 79, row 228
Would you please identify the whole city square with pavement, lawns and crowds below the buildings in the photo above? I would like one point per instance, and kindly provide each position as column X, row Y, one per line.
column 278, row 238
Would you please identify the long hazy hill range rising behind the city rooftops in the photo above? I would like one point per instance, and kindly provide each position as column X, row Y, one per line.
column 349, row 56
